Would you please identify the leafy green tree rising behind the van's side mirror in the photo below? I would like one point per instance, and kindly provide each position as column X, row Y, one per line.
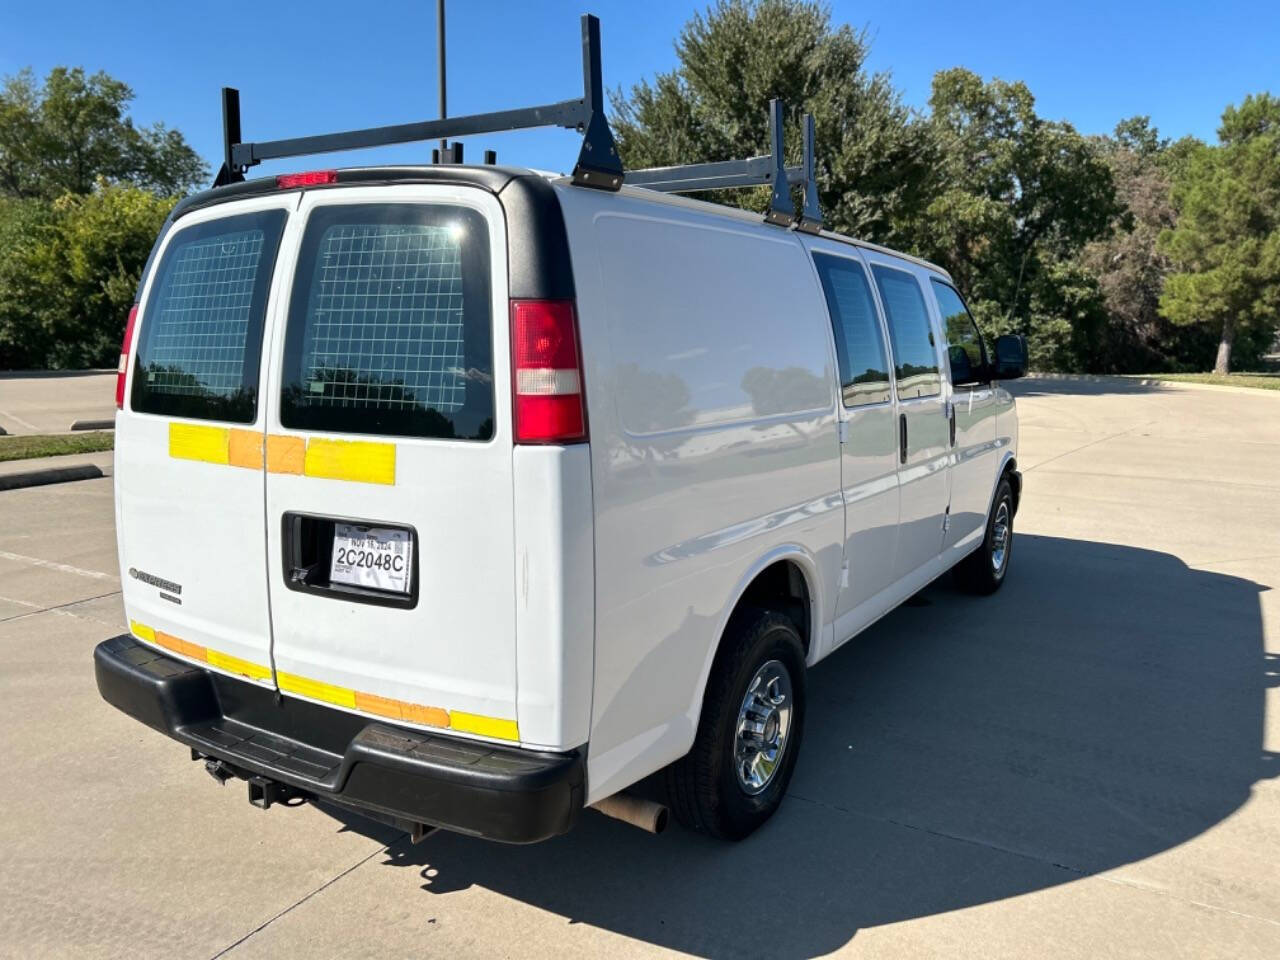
column 1018, row 199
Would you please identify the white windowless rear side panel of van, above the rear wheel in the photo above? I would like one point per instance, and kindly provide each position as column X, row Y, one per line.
column 711, row 400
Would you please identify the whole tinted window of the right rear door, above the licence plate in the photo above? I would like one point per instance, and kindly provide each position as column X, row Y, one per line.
column 390, row 323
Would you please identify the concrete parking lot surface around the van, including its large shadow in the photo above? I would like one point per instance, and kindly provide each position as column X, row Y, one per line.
column 1084, row 766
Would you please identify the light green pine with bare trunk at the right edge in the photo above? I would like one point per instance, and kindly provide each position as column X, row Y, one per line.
column 1226, row 248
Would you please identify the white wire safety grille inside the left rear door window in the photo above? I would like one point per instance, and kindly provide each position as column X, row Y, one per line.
column 202, row 317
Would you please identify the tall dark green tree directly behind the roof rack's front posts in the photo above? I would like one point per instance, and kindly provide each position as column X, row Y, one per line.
column 875, row 161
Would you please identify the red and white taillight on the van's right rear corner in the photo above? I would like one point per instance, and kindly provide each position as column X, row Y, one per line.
column 547, row 369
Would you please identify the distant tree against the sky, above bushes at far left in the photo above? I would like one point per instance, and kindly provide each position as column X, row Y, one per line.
column 74, row 130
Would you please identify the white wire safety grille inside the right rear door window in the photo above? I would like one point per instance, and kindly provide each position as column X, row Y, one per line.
column 385, row 321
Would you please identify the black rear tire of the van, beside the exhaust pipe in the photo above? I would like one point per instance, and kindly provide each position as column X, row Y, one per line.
column 706, row 790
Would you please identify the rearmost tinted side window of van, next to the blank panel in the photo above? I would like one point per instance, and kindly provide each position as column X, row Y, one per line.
column 856, row 324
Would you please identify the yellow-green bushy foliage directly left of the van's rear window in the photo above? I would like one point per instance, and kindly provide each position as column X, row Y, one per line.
column 68, row 281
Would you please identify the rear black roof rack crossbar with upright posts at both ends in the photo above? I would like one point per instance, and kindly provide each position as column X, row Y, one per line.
column 598, row 163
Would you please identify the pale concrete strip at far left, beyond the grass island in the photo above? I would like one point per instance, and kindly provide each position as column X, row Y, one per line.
column 48, row 403
